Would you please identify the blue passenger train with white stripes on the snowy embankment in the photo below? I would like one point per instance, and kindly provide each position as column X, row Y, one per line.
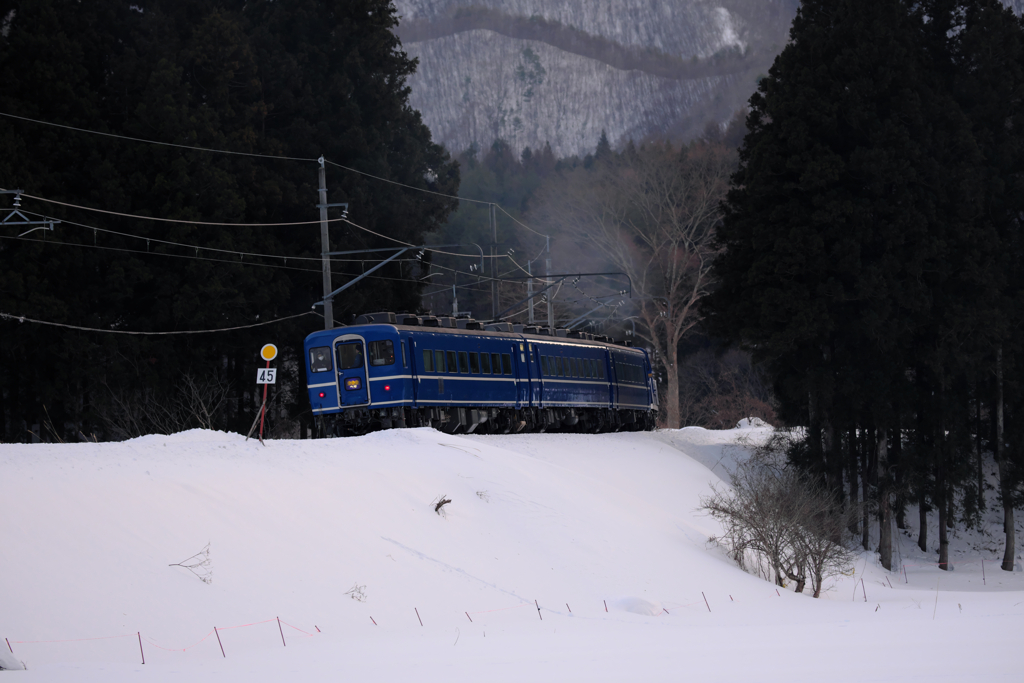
column 461, row 376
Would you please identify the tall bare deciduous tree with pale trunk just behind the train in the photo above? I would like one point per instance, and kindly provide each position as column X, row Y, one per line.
column 653, row 214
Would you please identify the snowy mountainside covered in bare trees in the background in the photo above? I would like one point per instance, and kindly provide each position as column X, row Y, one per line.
column 561, row 72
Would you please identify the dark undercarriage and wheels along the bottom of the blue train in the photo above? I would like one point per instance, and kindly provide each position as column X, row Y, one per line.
column 460, row 420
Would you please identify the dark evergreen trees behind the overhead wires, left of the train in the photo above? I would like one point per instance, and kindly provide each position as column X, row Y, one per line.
column 290, row 78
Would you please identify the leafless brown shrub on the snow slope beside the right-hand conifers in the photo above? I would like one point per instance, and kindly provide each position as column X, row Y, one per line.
column 782, row 523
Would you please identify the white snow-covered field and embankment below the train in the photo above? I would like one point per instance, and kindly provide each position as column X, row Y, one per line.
column 339, row 539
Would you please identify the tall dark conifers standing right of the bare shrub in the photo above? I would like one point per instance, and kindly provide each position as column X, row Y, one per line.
column 873, row 253
